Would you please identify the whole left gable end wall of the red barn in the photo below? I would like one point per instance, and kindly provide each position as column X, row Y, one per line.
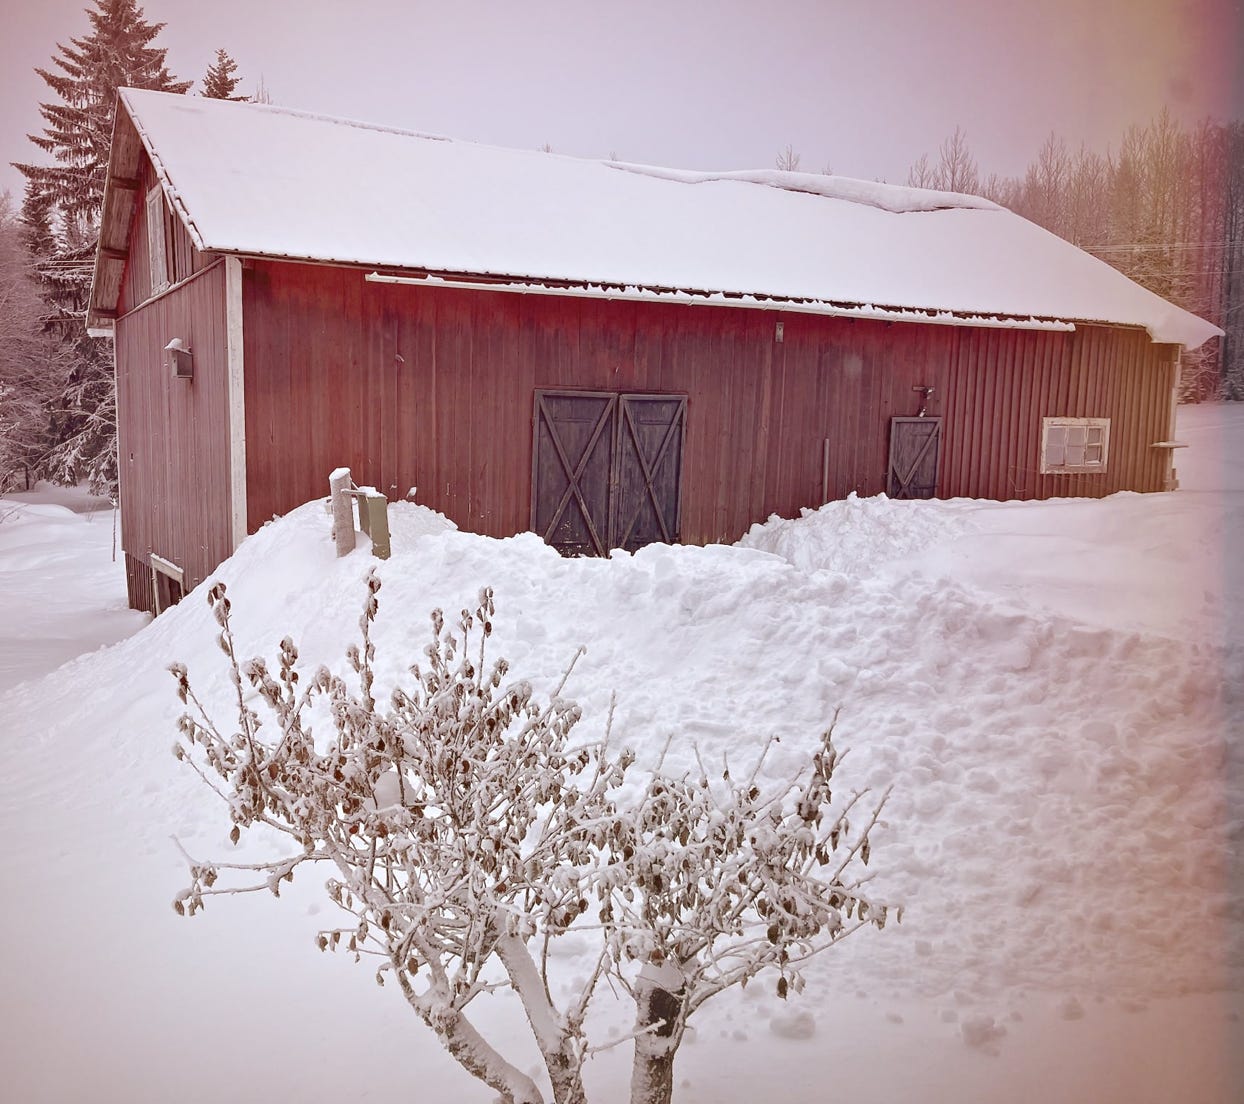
column 174, row 433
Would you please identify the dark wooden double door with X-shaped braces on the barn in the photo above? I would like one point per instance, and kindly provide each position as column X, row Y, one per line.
column 606, row 470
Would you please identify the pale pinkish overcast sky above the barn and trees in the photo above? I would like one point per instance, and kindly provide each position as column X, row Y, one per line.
column 860, row 88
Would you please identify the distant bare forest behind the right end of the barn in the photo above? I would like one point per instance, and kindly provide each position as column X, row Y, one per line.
column 1166, row 210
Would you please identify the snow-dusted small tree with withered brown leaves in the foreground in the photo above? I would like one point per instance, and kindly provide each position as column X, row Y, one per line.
column 468, row 835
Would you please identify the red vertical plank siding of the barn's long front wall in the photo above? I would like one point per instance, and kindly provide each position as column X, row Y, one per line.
column 434, row 389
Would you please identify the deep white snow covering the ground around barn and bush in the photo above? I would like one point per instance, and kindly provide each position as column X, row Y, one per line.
column 1056, row 690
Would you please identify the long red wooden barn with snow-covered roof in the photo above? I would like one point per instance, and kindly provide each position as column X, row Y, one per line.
column 606, row 354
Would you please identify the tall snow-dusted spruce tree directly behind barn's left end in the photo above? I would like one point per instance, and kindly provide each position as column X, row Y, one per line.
column 85, row 78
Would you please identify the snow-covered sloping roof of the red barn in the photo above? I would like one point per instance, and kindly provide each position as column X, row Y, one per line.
column 263, row 181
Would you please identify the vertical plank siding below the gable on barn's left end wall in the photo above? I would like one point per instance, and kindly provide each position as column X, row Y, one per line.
column 175, row 435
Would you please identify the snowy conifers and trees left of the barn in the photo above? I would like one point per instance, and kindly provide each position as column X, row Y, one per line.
column 58, row 393
